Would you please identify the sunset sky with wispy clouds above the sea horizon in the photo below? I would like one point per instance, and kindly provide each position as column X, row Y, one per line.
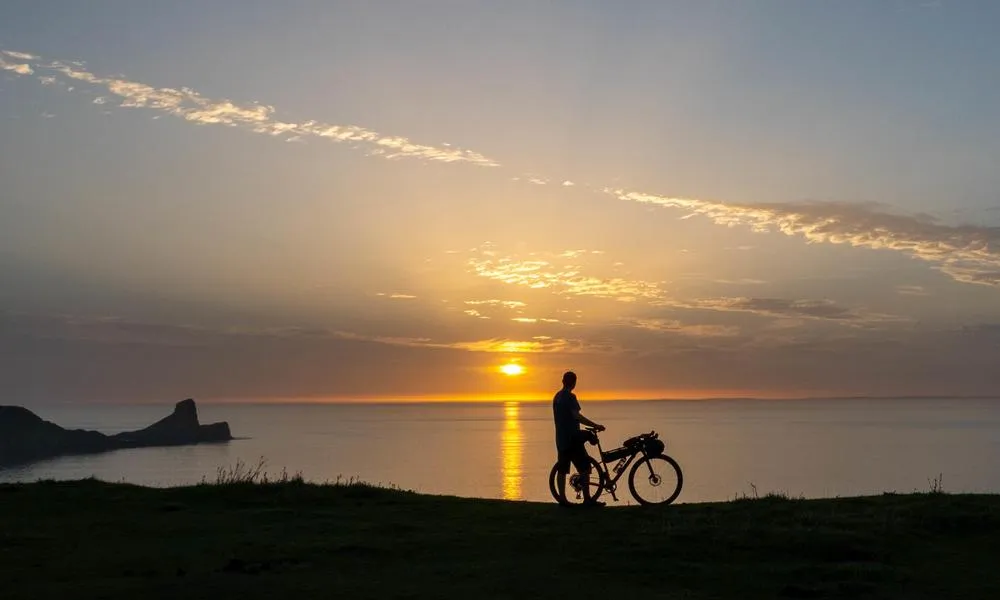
column 249, row 200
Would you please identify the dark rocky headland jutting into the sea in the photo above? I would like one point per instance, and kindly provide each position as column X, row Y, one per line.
column 26, row 437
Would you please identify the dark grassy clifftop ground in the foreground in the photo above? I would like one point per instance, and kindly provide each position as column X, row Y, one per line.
column 290, row 540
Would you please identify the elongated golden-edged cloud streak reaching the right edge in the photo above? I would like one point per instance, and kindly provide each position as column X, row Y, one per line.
column 970, row 254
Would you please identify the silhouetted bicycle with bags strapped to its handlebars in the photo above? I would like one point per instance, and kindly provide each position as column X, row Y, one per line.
column 654, row 479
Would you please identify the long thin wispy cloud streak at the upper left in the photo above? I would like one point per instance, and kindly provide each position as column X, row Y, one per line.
column 193, row 107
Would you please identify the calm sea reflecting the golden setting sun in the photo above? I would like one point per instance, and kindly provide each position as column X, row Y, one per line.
column 812, row 448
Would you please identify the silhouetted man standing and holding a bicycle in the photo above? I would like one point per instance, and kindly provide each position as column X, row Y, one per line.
column 570, row 441
